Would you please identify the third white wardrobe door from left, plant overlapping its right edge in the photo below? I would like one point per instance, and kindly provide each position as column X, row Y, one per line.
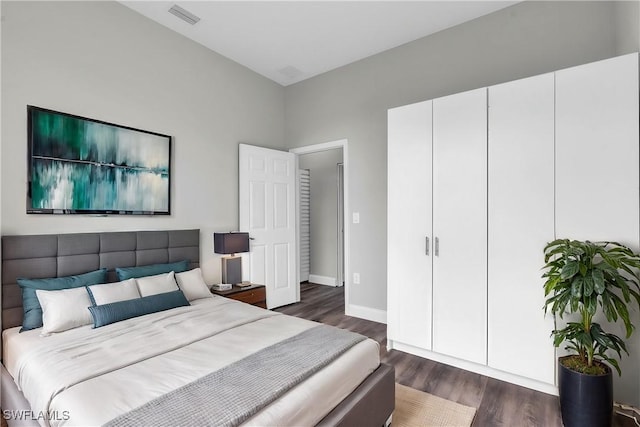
column 521, row 220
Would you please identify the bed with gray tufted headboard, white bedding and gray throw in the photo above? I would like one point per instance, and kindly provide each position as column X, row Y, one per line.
column 213, row 351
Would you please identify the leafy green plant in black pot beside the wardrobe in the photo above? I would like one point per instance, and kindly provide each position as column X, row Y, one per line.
column 587, row 278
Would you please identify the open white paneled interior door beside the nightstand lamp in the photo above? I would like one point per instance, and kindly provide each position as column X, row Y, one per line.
column 267, row 181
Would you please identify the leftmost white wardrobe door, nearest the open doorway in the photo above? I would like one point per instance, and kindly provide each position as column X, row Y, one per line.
column 409, row 225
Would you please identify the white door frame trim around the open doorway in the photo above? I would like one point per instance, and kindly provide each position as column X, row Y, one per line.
column 316, row 148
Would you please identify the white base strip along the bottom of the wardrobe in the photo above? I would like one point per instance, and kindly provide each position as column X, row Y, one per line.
column 474, row 367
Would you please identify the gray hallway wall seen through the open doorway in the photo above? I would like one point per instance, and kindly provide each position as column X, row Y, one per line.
column 324, row 207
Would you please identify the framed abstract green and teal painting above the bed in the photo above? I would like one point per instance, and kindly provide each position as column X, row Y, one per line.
column 86, row 166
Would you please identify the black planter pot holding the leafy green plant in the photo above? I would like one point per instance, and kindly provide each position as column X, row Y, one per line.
column 585, row 400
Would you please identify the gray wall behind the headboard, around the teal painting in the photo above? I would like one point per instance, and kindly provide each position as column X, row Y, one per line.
column 104, row 61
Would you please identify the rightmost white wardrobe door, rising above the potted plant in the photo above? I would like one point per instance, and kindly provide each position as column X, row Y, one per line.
column 597, row 151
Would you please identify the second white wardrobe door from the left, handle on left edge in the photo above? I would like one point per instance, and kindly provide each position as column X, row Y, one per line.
column 460, row 225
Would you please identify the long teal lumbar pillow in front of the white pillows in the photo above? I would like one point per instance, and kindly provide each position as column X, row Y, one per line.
column 122, row 310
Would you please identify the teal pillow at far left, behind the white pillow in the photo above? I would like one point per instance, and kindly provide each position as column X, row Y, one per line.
column 32, row 311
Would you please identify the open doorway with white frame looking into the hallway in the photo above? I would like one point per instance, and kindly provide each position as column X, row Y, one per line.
column 330, row 160
